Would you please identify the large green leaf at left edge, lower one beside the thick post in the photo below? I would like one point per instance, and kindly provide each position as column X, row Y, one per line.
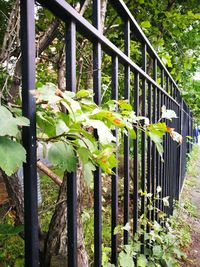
column 12, row 155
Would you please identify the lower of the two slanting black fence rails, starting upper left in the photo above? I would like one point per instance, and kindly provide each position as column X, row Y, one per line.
column 63, row 10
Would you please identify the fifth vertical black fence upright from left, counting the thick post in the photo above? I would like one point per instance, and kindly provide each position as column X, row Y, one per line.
column 126, row 138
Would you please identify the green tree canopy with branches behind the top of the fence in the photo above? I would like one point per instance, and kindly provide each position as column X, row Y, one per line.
column 173, row 28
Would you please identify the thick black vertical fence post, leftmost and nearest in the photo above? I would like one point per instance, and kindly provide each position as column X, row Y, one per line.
column 29, row 134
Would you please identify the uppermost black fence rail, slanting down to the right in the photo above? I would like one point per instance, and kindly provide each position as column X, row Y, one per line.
column 125, row 14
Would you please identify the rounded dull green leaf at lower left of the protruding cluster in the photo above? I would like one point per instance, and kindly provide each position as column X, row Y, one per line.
column 62, row 155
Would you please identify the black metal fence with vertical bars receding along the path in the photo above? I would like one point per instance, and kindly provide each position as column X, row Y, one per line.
column 151, row 171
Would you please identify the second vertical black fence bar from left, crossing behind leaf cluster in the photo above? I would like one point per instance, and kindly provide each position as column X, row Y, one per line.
column 71, row 177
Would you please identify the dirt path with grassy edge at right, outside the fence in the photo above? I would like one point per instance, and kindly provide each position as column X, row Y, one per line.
column 191, row 196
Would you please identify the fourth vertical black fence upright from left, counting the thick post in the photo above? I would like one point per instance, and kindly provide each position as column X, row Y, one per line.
column 114, row 207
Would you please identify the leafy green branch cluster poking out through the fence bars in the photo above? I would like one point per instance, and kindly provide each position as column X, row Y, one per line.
column 71, row 134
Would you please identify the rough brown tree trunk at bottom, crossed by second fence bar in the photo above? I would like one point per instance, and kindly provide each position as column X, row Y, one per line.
column 56, row 243
